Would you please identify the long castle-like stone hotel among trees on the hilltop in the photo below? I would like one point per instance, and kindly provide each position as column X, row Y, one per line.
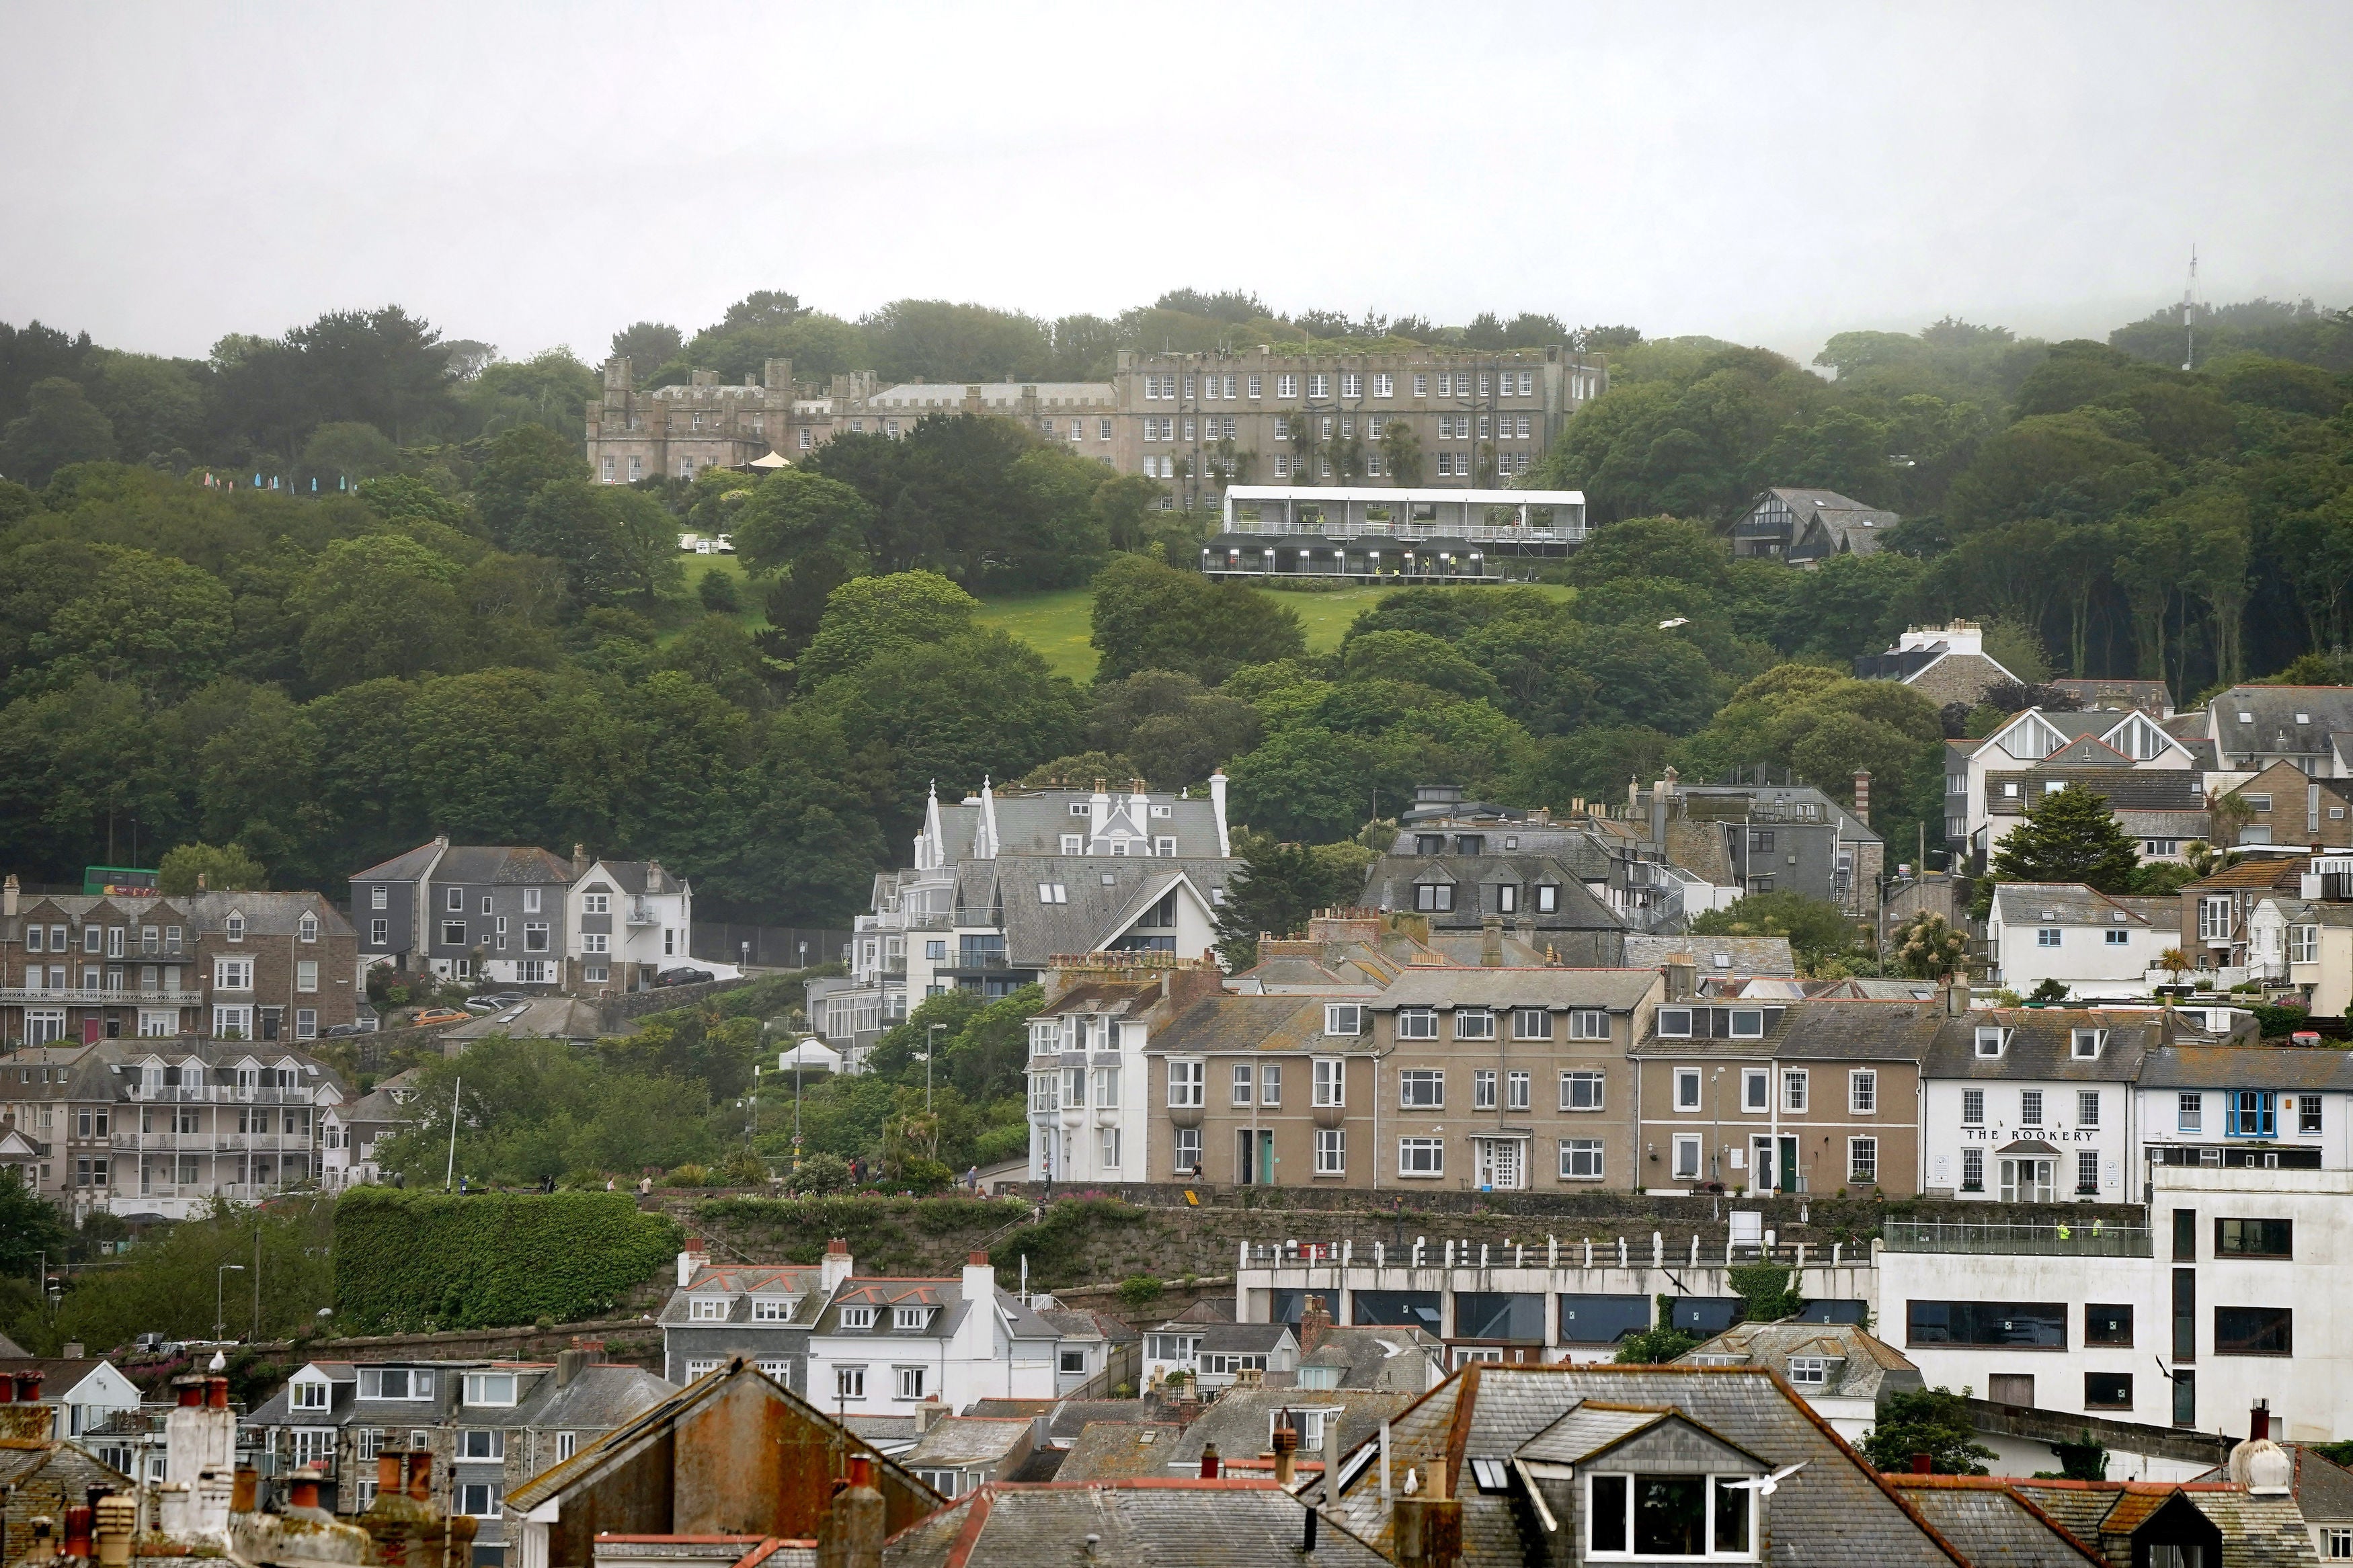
column 1197, row 422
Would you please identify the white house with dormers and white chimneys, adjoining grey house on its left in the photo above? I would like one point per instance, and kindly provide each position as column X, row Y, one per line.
column 884, row 1346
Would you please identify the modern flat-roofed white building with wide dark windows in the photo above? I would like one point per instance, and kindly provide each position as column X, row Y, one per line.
column 2241, row 1292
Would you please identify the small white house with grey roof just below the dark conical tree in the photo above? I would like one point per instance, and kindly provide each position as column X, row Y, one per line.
column 2093, row 944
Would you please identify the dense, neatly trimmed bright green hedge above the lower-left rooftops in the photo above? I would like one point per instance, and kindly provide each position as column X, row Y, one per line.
column 420, row 1261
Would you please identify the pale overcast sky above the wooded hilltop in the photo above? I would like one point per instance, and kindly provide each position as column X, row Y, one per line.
column 542, row 175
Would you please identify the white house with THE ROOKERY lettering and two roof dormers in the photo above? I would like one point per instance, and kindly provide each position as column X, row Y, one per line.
column 2034, row 1106
